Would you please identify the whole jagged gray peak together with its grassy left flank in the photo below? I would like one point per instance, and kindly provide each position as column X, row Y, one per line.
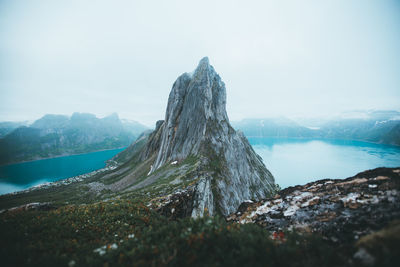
column 214, row 164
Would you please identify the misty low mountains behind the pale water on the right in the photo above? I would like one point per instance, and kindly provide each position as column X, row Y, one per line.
column 372, row 126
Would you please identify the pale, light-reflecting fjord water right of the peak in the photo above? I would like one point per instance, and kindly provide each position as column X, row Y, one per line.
column 299, row 161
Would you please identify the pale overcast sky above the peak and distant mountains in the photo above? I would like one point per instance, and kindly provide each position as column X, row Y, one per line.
column 304, row 58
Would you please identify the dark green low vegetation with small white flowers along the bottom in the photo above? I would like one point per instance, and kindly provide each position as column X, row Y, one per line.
column 130, row 234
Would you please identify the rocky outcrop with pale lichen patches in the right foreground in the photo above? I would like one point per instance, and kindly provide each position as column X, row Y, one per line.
column 340, row 210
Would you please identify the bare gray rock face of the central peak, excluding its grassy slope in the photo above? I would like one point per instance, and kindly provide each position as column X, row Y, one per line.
column 196, row 124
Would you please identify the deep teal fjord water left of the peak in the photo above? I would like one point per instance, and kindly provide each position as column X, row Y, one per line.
column 21, row 176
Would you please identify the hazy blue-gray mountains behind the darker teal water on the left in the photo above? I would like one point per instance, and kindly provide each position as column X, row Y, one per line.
column 56, row 135
